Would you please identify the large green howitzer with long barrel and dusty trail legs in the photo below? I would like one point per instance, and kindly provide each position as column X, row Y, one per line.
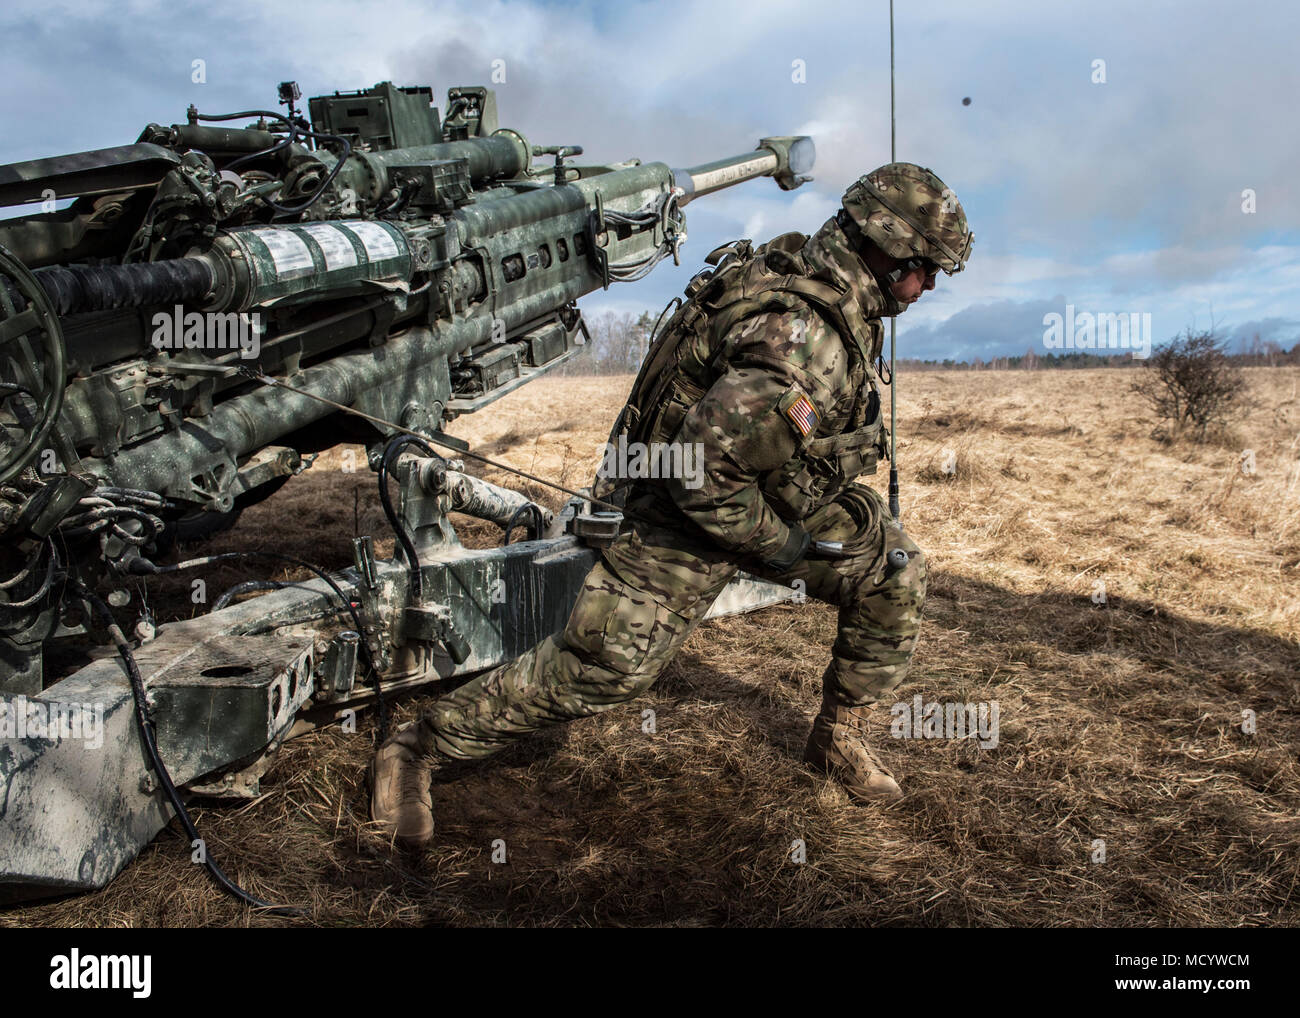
column 216, row 305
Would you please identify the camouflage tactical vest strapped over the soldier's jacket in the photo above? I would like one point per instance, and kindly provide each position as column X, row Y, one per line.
column 691, row 353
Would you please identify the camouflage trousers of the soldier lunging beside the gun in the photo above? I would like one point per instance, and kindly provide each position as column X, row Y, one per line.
column 642, row 603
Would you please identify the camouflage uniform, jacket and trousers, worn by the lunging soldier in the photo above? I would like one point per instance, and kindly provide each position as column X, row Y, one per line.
column 787, row 414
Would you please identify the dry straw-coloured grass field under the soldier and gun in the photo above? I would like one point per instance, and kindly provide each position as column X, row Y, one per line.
column 1121, row 717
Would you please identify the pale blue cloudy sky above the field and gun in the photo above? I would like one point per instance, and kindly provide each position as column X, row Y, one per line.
column 1116, row 197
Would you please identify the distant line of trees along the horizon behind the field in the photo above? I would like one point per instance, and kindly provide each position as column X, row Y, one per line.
column 619, row 344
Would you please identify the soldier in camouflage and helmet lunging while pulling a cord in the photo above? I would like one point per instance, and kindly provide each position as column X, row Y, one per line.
column 770, row 372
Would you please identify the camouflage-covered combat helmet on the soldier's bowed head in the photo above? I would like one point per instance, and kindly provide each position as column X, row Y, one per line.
column 908, row 213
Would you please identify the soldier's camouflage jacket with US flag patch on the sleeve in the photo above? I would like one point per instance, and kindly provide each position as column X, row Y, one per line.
column 768, row 374
